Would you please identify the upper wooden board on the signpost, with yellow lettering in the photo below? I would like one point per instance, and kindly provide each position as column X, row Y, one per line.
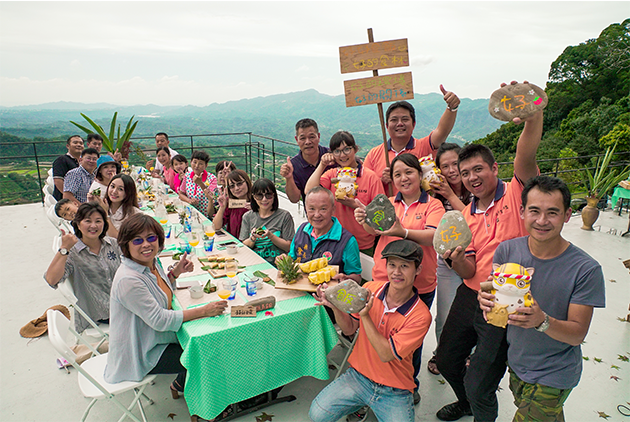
column 374, row 56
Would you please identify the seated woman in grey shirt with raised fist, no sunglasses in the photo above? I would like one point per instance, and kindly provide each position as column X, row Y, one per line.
column 89, row 260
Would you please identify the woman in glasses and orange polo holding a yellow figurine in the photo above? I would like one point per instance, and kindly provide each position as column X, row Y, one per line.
column 344, row 149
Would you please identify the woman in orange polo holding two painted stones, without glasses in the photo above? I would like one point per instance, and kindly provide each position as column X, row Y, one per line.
column 417, row 217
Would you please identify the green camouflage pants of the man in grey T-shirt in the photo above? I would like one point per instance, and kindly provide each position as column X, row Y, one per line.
column 537, row 402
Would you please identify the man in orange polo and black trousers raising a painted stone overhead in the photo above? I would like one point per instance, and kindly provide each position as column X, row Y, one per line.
column 493, row 216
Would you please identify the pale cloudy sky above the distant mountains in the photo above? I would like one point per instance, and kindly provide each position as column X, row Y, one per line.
column 198, row 53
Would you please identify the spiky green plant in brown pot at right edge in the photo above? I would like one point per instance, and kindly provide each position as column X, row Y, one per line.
column 598, row 183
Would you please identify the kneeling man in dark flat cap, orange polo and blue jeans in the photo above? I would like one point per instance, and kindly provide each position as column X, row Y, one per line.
column 391, row 327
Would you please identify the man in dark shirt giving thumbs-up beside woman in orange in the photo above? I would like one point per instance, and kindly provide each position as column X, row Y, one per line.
column 298, row 170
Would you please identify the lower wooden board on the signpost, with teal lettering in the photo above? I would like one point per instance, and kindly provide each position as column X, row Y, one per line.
column 378, row 89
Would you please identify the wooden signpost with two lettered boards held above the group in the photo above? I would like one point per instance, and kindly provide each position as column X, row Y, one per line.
column 377, row 89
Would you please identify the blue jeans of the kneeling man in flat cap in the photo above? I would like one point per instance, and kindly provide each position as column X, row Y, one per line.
column 351, row 391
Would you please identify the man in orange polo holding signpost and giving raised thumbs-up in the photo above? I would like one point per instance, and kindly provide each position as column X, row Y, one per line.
column 400, row 119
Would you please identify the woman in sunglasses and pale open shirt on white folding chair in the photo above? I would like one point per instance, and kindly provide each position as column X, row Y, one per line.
column 142, row 322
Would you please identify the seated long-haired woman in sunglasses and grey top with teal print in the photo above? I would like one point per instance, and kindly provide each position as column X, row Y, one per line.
column 267, row 229
